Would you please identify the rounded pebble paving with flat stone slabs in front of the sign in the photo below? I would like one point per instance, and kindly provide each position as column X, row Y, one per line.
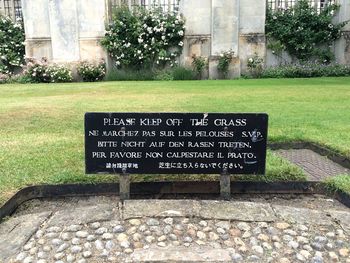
column 182, row 236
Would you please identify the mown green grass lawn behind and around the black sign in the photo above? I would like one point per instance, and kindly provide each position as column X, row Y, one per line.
column 42, row 134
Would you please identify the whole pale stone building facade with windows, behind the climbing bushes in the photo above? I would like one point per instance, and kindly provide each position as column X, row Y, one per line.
column 68, row 31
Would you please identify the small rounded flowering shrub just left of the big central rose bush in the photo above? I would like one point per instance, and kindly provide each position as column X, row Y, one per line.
column 91, row 72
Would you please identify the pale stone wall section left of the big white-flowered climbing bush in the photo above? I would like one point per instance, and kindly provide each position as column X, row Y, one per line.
column 64, row 31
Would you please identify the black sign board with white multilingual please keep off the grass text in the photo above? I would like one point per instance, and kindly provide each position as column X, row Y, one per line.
column 175, row 143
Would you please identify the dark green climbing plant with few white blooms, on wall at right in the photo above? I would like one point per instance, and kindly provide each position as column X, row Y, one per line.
column 304, row 32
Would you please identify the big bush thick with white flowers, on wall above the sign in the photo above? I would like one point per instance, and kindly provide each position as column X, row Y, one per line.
column 144, row 38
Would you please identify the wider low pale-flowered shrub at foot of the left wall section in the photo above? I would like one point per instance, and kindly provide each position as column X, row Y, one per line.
column 41, row 71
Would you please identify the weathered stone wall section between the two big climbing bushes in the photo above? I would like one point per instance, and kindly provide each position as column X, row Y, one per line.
column 222, row 25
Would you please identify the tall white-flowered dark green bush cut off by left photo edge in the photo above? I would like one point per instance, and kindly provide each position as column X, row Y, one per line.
column 11, row 45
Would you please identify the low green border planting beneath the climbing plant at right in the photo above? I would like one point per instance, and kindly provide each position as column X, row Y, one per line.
column 307, row 71
